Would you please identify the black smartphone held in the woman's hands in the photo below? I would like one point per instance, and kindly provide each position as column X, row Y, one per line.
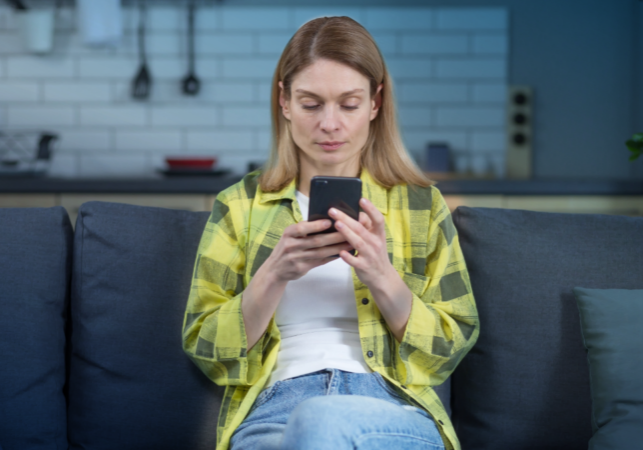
column 342, row 193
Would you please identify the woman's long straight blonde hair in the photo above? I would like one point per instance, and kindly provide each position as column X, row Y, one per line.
column 343, row 40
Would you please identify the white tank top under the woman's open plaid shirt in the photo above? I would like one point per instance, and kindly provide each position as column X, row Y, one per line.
column 317, row 317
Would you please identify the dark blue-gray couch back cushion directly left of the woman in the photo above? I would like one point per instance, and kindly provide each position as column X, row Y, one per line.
column 131, row 385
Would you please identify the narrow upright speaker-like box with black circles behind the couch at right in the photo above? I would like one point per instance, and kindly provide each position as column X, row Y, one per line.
column 520, row 119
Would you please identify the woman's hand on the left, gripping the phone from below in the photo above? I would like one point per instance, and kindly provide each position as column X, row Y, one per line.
column 297, row 252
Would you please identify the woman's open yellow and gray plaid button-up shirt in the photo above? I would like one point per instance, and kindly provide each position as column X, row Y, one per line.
column 244, row 227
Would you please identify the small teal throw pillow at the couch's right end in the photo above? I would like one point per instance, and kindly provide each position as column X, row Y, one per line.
column 612, row 324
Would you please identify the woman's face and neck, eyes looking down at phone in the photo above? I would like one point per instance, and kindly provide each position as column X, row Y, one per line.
column 330, row 111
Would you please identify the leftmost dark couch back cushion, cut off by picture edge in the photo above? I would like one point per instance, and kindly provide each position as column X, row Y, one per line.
column 35, row 271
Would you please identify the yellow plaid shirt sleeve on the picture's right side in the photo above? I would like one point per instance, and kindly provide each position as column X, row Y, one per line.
column 443, row 325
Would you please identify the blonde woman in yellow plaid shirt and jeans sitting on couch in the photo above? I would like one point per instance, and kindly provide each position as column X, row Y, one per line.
column 318, row 350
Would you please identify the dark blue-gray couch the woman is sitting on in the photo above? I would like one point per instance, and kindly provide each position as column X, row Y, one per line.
column 90, row 328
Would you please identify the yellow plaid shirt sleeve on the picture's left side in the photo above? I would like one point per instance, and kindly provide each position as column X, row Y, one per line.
column 214, row 334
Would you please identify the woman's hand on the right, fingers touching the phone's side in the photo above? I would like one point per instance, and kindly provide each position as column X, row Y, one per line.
column 368, row 237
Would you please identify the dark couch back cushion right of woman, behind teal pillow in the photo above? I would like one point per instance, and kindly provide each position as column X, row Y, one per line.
column 525, row 384
